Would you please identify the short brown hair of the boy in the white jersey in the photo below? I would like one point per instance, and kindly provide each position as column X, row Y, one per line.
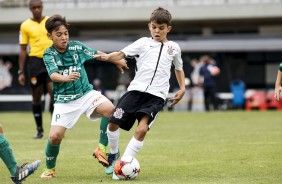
column 161, row 15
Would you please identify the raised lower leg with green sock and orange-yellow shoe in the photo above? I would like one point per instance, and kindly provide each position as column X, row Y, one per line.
column 100, row 152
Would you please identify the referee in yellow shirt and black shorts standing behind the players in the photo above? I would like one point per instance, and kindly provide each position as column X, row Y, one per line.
column 34, row 35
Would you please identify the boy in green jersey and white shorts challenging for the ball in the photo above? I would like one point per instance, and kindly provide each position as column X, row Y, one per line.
column 73, row 94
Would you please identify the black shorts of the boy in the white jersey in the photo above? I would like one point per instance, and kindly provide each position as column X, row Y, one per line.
column 134, row 105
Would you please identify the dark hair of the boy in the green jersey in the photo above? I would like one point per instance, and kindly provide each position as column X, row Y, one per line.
column 55, row 22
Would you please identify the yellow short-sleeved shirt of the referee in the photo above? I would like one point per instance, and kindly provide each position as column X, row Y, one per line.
column 35, row 35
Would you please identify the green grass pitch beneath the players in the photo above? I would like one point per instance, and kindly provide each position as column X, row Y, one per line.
column 182, row 147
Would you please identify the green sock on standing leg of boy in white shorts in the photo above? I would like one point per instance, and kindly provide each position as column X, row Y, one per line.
column 52, row 151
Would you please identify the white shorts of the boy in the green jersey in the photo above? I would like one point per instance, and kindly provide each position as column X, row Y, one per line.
column 67, row 114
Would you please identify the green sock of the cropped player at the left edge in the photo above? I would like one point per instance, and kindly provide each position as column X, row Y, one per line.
column 6, row 154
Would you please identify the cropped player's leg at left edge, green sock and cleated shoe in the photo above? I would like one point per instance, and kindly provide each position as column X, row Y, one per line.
column 18, row 173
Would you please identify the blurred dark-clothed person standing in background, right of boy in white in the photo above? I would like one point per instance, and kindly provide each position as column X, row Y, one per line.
column 208, row 72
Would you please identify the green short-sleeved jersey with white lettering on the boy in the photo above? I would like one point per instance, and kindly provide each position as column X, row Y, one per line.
column 72, row 60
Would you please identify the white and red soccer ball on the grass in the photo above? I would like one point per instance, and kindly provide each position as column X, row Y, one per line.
column 127, row 168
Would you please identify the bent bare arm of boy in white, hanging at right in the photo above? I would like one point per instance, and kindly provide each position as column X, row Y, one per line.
column 181, row 82
